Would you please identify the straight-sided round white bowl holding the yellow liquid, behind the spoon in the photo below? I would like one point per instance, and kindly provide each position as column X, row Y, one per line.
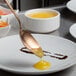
column 42, row 25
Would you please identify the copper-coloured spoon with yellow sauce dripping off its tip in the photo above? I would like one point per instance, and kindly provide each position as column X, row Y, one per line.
column 27, row 39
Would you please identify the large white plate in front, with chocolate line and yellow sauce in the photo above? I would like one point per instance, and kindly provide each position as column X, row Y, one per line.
column 13, row 60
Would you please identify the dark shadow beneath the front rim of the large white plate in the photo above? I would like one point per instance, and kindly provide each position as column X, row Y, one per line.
column 60, row 73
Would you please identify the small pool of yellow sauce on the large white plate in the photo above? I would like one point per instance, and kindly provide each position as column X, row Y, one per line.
column 42, row 65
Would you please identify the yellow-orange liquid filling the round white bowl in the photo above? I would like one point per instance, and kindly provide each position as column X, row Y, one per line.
column 45, row 14
